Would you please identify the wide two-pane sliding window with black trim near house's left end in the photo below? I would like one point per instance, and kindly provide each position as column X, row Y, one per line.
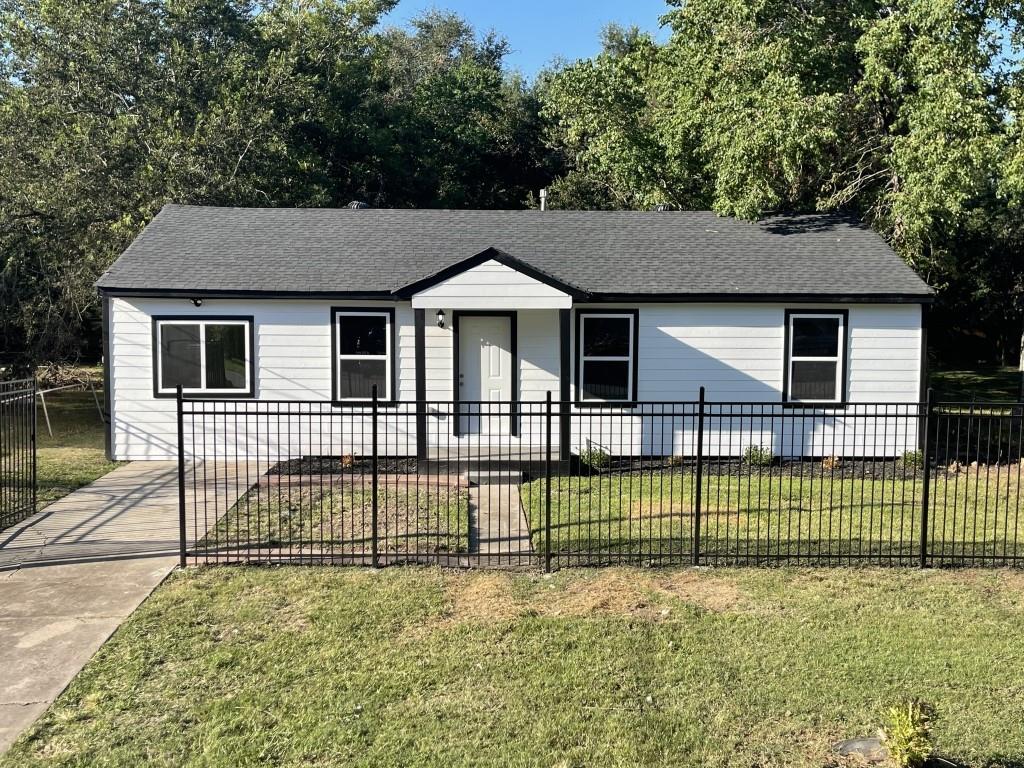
column 209, row 357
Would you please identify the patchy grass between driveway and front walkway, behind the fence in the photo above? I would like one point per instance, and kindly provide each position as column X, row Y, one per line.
column 336, row 519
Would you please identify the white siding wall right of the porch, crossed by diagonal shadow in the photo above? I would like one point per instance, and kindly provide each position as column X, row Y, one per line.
column 737, row 352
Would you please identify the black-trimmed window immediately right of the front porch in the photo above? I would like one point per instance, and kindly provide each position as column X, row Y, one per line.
column 607, row 349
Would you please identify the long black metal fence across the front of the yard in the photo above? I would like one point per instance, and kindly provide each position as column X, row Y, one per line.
column 550, row 485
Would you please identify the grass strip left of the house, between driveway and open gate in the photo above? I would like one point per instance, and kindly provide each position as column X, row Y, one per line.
column 74, row 456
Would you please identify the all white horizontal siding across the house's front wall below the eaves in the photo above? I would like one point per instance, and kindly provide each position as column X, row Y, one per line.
column 735, row 351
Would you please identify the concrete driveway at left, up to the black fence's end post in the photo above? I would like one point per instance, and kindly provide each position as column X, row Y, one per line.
column 72, row 574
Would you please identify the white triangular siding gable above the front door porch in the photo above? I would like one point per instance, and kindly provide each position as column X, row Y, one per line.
column 492, row 286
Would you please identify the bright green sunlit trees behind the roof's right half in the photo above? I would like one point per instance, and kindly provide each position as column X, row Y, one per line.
column 908, row 113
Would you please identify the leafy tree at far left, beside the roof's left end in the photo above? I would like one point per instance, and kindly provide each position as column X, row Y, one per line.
column 111, row 109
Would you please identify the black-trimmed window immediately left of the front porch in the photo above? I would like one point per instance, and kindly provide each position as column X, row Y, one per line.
column 364, row 354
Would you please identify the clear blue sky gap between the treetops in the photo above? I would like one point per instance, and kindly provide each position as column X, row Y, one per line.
column 542, row 30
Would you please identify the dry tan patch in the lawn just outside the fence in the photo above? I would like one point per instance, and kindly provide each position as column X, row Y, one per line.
column 619, row 592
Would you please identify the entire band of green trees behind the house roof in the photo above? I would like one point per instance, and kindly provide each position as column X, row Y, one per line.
column 906, row 112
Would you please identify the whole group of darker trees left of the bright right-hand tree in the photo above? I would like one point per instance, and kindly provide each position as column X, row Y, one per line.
column 110, row 109
